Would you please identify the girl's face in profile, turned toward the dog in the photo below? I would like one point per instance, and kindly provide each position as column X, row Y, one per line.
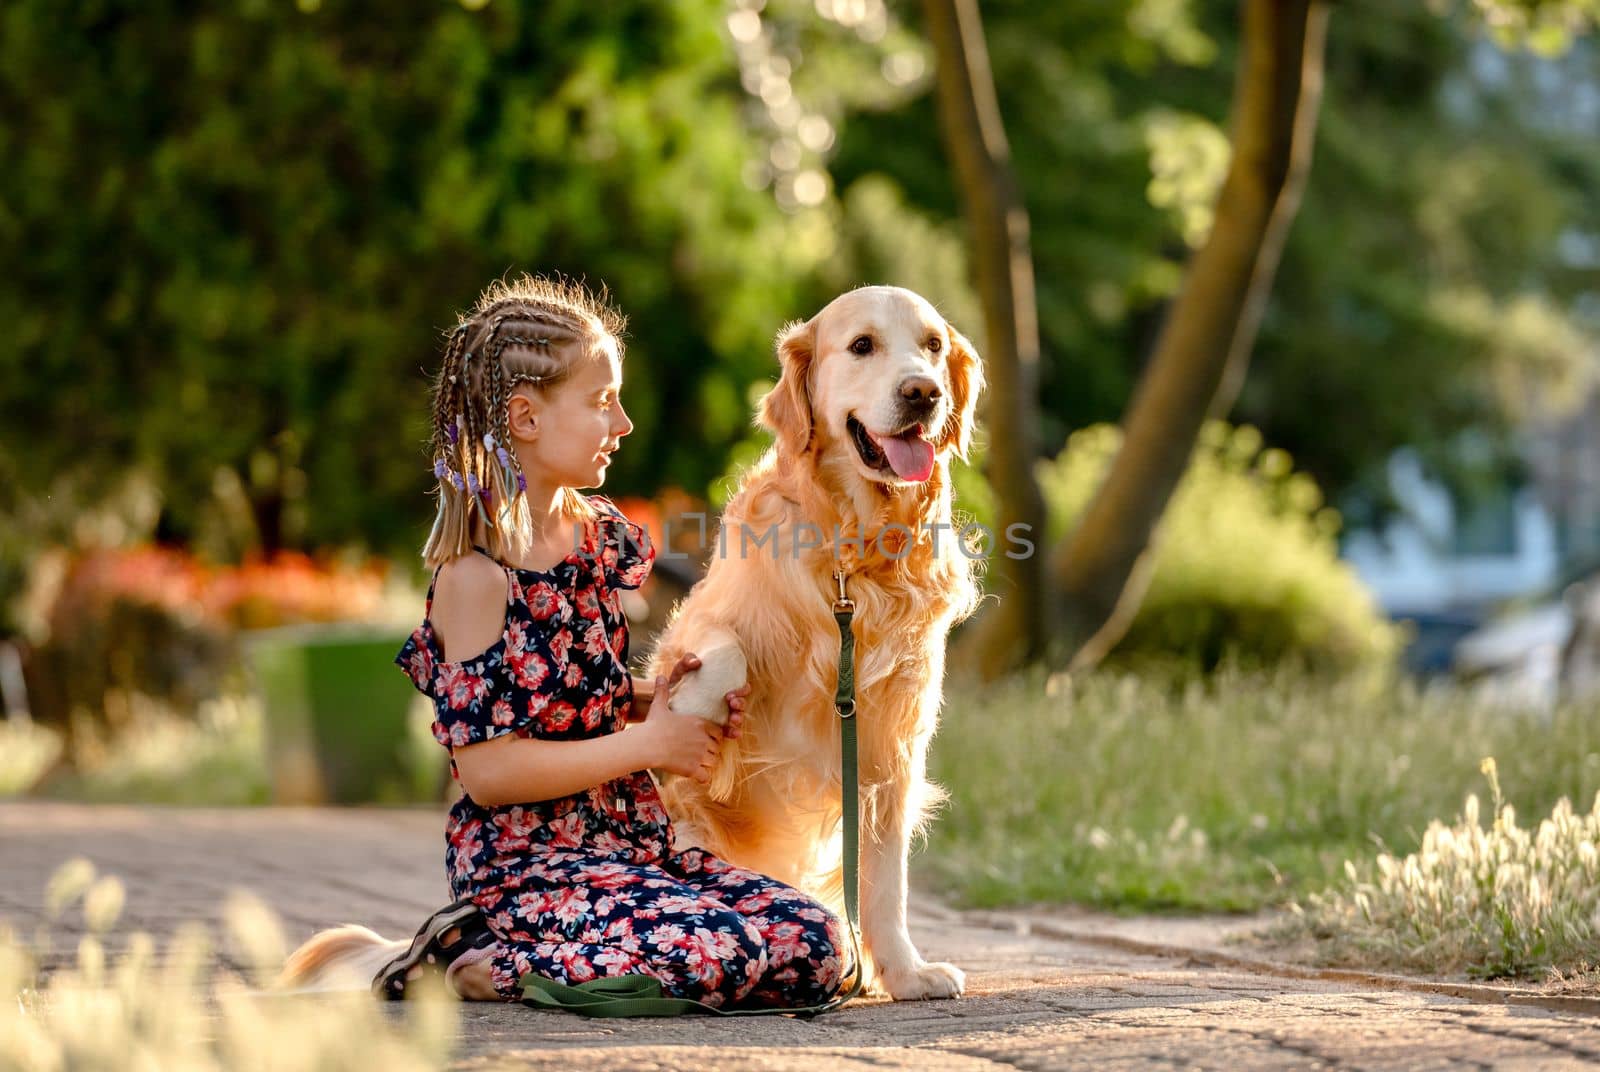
column 578, row 425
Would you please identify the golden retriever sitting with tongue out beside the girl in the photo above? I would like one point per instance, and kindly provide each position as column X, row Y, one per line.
column 876, row 393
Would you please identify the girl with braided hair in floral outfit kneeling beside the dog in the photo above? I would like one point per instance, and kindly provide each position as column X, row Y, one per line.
column 559, row 850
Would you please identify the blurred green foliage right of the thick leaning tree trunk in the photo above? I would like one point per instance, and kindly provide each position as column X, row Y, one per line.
column 1430, row 284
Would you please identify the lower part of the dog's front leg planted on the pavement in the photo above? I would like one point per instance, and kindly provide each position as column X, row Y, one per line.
column 886, row 844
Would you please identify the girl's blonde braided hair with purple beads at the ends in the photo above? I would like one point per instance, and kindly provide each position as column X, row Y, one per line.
column 529, row 330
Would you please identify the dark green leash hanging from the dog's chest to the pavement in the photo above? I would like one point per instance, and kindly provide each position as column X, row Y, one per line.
column 641, row 994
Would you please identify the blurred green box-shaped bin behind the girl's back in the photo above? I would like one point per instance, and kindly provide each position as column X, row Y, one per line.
column 335, row 708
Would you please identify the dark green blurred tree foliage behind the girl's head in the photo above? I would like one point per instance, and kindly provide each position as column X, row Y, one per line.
column 234, row 238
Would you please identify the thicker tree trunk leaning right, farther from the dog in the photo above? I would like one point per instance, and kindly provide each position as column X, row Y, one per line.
column 1199, row 364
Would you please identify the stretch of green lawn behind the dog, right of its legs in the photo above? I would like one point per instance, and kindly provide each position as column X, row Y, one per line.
column 1231, row 793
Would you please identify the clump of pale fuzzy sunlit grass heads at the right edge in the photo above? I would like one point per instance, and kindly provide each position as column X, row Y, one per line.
column 1505, row 902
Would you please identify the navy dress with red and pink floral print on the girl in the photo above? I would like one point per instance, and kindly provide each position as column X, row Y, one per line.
column 588, row 886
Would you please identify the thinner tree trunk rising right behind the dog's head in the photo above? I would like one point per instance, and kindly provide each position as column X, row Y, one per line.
column 1017, row 628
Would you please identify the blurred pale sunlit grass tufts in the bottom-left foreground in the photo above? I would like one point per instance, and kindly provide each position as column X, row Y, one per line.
column 170, row 1012
